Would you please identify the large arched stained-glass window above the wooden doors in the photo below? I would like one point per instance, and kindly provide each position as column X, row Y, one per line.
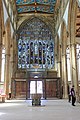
column 35, row 45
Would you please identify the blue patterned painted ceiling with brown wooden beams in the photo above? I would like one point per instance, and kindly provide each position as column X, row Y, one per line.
column 43, row 6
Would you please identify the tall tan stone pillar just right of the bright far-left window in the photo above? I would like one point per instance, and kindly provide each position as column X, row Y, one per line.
column 7, row 60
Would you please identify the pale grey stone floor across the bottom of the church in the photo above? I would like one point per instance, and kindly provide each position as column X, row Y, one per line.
column 50, row 110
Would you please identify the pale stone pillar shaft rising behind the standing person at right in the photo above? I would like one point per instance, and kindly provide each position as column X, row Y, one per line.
column 74, row 75
